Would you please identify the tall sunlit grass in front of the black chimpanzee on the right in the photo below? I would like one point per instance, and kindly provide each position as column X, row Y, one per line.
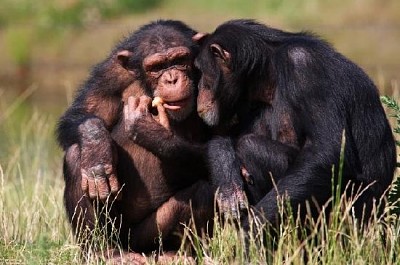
column 334, row 240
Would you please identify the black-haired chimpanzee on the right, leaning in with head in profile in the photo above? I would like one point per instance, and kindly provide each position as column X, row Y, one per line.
column 267, row 88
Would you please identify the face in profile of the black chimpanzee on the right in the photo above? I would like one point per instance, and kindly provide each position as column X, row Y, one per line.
column 214, row 101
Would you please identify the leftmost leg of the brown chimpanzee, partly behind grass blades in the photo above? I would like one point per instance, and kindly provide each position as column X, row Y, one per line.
column 81, row 210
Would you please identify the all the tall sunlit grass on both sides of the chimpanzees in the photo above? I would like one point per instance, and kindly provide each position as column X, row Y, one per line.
column 34, row 229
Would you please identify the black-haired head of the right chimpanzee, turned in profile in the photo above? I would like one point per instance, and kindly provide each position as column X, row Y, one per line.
column 234, row 61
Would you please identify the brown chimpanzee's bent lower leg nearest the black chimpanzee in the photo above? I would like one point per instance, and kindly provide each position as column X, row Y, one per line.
column 166, row 222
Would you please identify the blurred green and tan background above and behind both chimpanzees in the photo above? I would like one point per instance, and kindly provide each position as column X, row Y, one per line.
column 47, row 47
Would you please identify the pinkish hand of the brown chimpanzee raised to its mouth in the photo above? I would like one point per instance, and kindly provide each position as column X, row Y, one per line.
column 138, row 109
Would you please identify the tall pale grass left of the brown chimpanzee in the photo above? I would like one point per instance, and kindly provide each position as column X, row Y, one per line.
column 32, row 220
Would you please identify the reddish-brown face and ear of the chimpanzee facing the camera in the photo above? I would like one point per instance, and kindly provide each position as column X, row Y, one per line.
column 165, row 68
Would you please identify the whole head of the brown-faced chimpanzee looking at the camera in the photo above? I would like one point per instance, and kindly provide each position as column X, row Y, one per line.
column 160, row 55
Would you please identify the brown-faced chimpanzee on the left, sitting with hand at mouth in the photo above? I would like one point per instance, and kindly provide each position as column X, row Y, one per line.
column 147, row 189
